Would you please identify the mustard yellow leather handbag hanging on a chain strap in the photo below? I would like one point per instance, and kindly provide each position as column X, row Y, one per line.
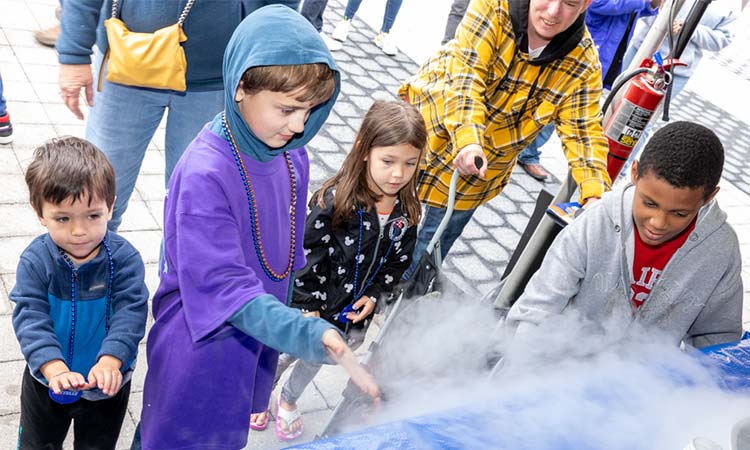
column 152, row 60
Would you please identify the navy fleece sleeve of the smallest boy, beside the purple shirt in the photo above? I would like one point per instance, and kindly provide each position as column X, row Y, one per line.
column 130, row 305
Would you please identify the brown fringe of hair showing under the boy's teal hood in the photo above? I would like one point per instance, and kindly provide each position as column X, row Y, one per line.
column 317, row 81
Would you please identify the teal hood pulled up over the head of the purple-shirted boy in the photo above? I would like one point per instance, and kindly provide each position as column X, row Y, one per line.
column 274, row 35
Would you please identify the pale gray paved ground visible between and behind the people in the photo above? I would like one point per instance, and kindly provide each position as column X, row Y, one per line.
column 717, row 96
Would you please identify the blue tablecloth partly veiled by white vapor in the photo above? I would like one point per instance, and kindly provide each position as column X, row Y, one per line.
column 511, row 421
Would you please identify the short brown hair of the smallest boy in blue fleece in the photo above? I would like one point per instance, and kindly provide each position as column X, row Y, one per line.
column 69, row 167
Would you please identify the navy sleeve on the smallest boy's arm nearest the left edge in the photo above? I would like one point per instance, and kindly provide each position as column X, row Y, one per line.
column 31, row 316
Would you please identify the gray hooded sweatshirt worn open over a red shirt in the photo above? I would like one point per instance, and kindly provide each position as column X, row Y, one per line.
column 589, row 268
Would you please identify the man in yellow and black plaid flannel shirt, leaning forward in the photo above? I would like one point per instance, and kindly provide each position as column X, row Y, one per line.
column 513, row 67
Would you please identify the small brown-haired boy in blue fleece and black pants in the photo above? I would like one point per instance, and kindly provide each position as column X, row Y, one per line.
column 81, row 303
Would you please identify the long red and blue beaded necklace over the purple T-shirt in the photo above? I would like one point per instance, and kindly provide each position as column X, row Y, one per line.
column 253, row 208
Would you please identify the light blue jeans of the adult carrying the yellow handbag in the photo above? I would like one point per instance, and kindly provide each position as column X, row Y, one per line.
column 124, row 119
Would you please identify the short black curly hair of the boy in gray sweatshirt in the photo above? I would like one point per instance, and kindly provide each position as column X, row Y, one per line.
column 685, row 155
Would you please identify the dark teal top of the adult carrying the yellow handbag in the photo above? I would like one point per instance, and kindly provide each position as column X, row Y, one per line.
column 208, row 26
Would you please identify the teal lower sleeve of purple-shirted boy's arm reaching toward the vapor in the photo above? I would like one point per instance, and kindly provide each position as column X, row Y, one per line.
column 267, row 319
